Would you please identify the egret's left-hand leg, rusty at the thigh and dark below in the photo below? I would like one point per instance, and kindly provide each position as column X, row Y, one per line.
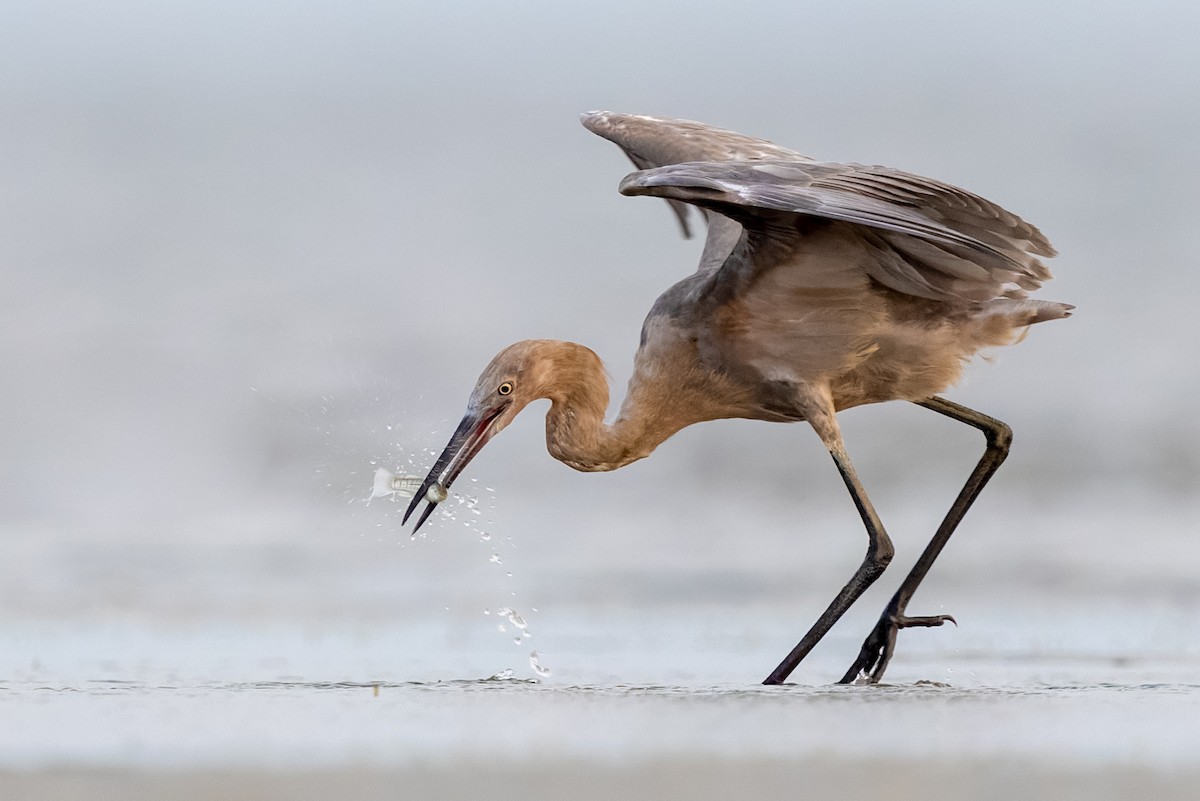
column 879, row 553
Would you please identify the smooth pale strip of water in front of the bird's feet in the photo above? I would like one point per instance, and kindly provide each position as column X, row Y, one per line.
column 284, row 725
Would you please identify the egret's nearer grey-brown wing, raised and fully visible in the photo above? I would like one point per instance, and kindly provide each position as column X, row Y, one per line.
column 932, row 239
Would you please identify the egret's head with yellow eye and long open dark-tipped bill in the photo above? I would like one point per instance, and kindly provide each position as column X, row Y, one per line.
column 519, row 375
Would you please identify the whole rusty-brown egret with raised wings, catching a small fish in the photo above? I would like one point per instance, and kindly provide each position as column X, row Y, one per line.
column 823, row 287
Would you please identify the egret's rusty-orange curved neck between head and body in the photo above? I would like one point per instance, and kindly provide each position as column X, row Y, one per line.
column 577, row 432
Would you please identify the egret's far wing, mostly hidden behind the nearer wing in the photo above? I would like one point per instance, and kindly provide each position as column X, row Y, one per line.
column 657, row 142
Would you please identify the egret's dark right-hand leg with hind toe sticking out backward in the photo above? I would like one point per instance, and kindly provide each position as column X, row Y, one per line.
column 873, row 659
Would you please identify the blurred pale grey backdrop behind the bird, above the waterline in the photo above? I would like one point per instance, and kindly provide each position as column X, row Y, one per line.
column 254, row 252
